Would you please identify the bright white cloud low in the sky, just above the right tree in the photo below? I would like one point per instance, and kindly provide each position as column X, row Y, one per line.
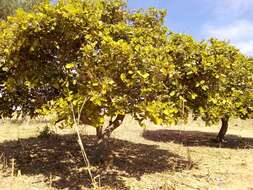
column 239, row 33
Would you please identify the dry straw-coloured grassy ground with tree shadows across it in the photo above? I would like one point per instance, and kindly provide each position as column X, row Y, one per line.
column 174, row 157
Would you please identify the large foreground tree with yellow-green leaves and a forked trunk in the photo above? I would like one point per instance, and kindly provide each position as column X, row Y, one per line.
column 98, row 56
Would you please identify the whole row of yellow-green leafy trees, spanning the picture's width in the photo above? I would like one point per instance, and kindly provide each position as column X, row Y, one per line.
column 99, row 59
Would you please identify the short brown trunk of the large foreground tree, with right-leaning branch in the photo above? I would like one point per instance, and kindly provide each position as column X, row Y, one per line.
column 103, row 153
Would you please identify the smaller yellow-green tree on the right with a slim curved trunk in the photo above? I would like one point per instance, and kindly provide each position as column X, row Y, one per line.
column 213, row 78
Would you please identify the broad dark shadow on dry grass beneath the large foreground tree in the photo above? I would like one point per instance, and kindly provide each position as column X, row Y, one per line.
column 60, row 156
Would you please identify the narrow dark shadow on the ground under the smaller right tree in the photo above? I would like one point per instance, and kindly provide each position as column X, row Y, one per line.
column 197, row 138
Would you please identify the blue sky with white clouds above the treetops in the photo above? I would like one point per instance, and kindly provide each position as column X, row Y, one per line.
column 230, row 20
